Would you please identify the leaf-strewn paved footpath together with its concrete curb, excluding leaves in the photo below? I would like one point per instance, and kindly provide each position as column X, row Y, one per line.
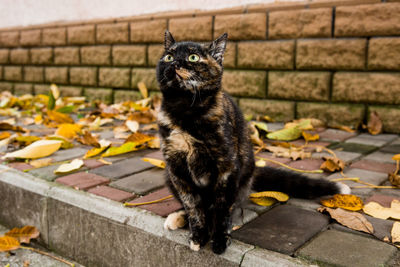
column 81, row 214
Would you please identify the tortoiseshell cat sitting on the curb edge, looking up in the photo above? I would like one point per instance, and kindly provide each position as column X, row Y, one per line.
column 206, row 144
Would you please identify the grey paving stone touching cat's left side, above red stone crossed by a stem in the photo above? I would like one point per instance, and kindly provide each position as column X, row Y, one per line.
column 141, row 183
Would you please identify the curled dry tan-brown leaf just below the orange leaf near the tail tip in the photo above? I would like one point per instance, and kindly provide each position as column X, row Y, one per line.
column 353, row 220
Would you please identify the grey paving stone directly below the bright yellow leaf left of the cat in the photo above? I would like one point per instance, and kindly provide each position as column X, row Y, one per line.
column 123, row 168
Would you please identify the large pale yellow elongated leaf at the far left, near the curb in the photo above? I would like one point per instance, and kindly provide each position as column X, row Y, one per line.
column 38, row 149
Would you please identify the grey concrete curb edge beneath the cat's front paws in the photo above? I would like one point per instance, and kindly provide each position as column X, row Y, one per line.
column 88, row 228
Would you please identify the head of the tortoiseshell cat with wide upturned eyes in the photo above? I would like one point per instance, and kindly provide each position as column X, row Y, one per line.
column 191, row 67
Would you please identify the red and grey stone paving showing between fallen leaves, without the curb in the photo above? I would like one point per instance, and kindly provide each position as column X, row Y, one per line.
column 294, row 228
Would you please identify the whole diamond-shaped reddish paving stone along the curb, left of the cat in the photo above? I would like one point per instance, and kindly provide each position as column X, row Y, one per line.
column 82, row 180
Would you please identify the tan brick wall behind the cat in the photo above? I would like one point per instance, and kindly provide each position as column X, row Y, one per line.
column 336, row 60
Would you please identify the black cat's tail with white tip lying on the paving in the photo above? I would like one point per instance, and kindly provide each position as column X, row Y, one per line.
column 295, row 184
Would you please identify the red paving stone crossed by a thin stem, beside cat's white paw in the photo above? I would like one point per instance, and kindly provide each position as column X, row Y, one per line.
column 162, row 208
